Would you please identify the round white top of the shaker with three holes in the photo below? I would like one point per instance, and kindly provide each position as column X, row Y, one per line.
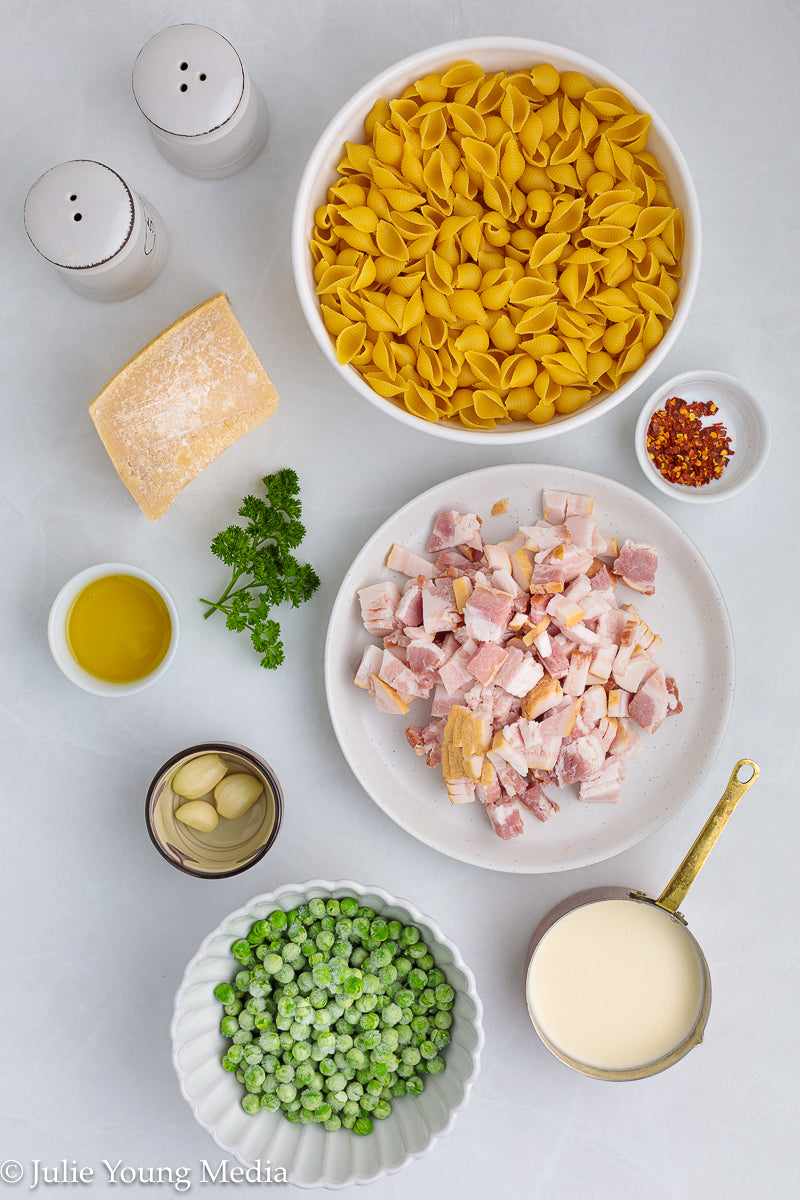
column 189, row 81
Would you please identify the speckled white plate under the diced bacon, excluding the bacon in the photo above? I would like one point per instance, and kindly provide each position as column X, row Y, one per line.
column 688, row 610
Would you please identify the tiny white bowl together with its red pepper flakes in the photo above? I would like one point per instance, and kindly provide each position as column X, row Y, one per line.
column 702, row 437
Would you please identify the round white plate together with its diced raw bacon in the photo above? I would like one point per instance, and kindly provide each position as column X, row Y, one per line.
column 530, row 668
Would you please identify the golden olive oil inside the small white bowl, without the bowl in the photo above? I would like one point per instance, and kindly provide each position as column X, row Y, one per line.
column 119, row 629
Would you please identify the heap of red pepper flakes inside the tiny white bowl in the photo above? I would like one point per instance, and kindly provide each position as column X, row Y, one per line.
column 682, row 448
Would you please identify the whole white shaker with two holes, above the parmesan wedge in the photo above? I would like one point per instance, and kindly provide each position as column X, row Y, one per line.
column 106, row 242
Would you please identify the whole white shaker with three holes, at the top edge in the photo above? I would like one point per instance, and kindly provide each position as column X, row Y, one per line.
column 206, row 115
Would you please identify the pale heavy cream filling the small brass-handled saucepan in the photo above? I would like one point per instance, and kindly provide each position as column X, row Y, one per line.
column 616, row 985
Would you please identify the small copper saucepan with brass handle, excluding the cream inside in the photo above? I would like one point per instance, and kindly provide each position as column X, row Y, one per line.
column 669, row 903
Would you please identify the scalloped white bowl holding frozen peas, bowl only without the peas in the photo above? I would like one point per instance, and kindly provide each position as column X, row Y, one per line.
column 310, row 1156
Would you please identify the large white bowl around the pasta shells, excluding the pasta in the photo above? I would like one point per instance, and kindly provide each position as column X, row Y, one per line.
column 494, row 55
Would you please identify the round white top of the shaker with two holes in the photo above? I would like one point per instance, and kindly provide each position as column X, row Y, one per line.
column 80, row 214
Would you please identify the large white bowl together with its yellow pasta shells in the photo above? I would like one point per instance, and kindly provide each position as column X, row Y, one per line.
column 508, row 249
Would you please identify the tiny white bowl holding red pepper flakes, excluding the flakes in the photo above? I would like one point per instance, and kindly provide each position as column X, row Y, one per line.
column 739, row 411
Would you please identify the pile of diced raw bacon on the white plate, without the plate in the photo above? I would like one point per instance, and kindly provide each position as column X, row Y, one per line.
column 536, row 675
